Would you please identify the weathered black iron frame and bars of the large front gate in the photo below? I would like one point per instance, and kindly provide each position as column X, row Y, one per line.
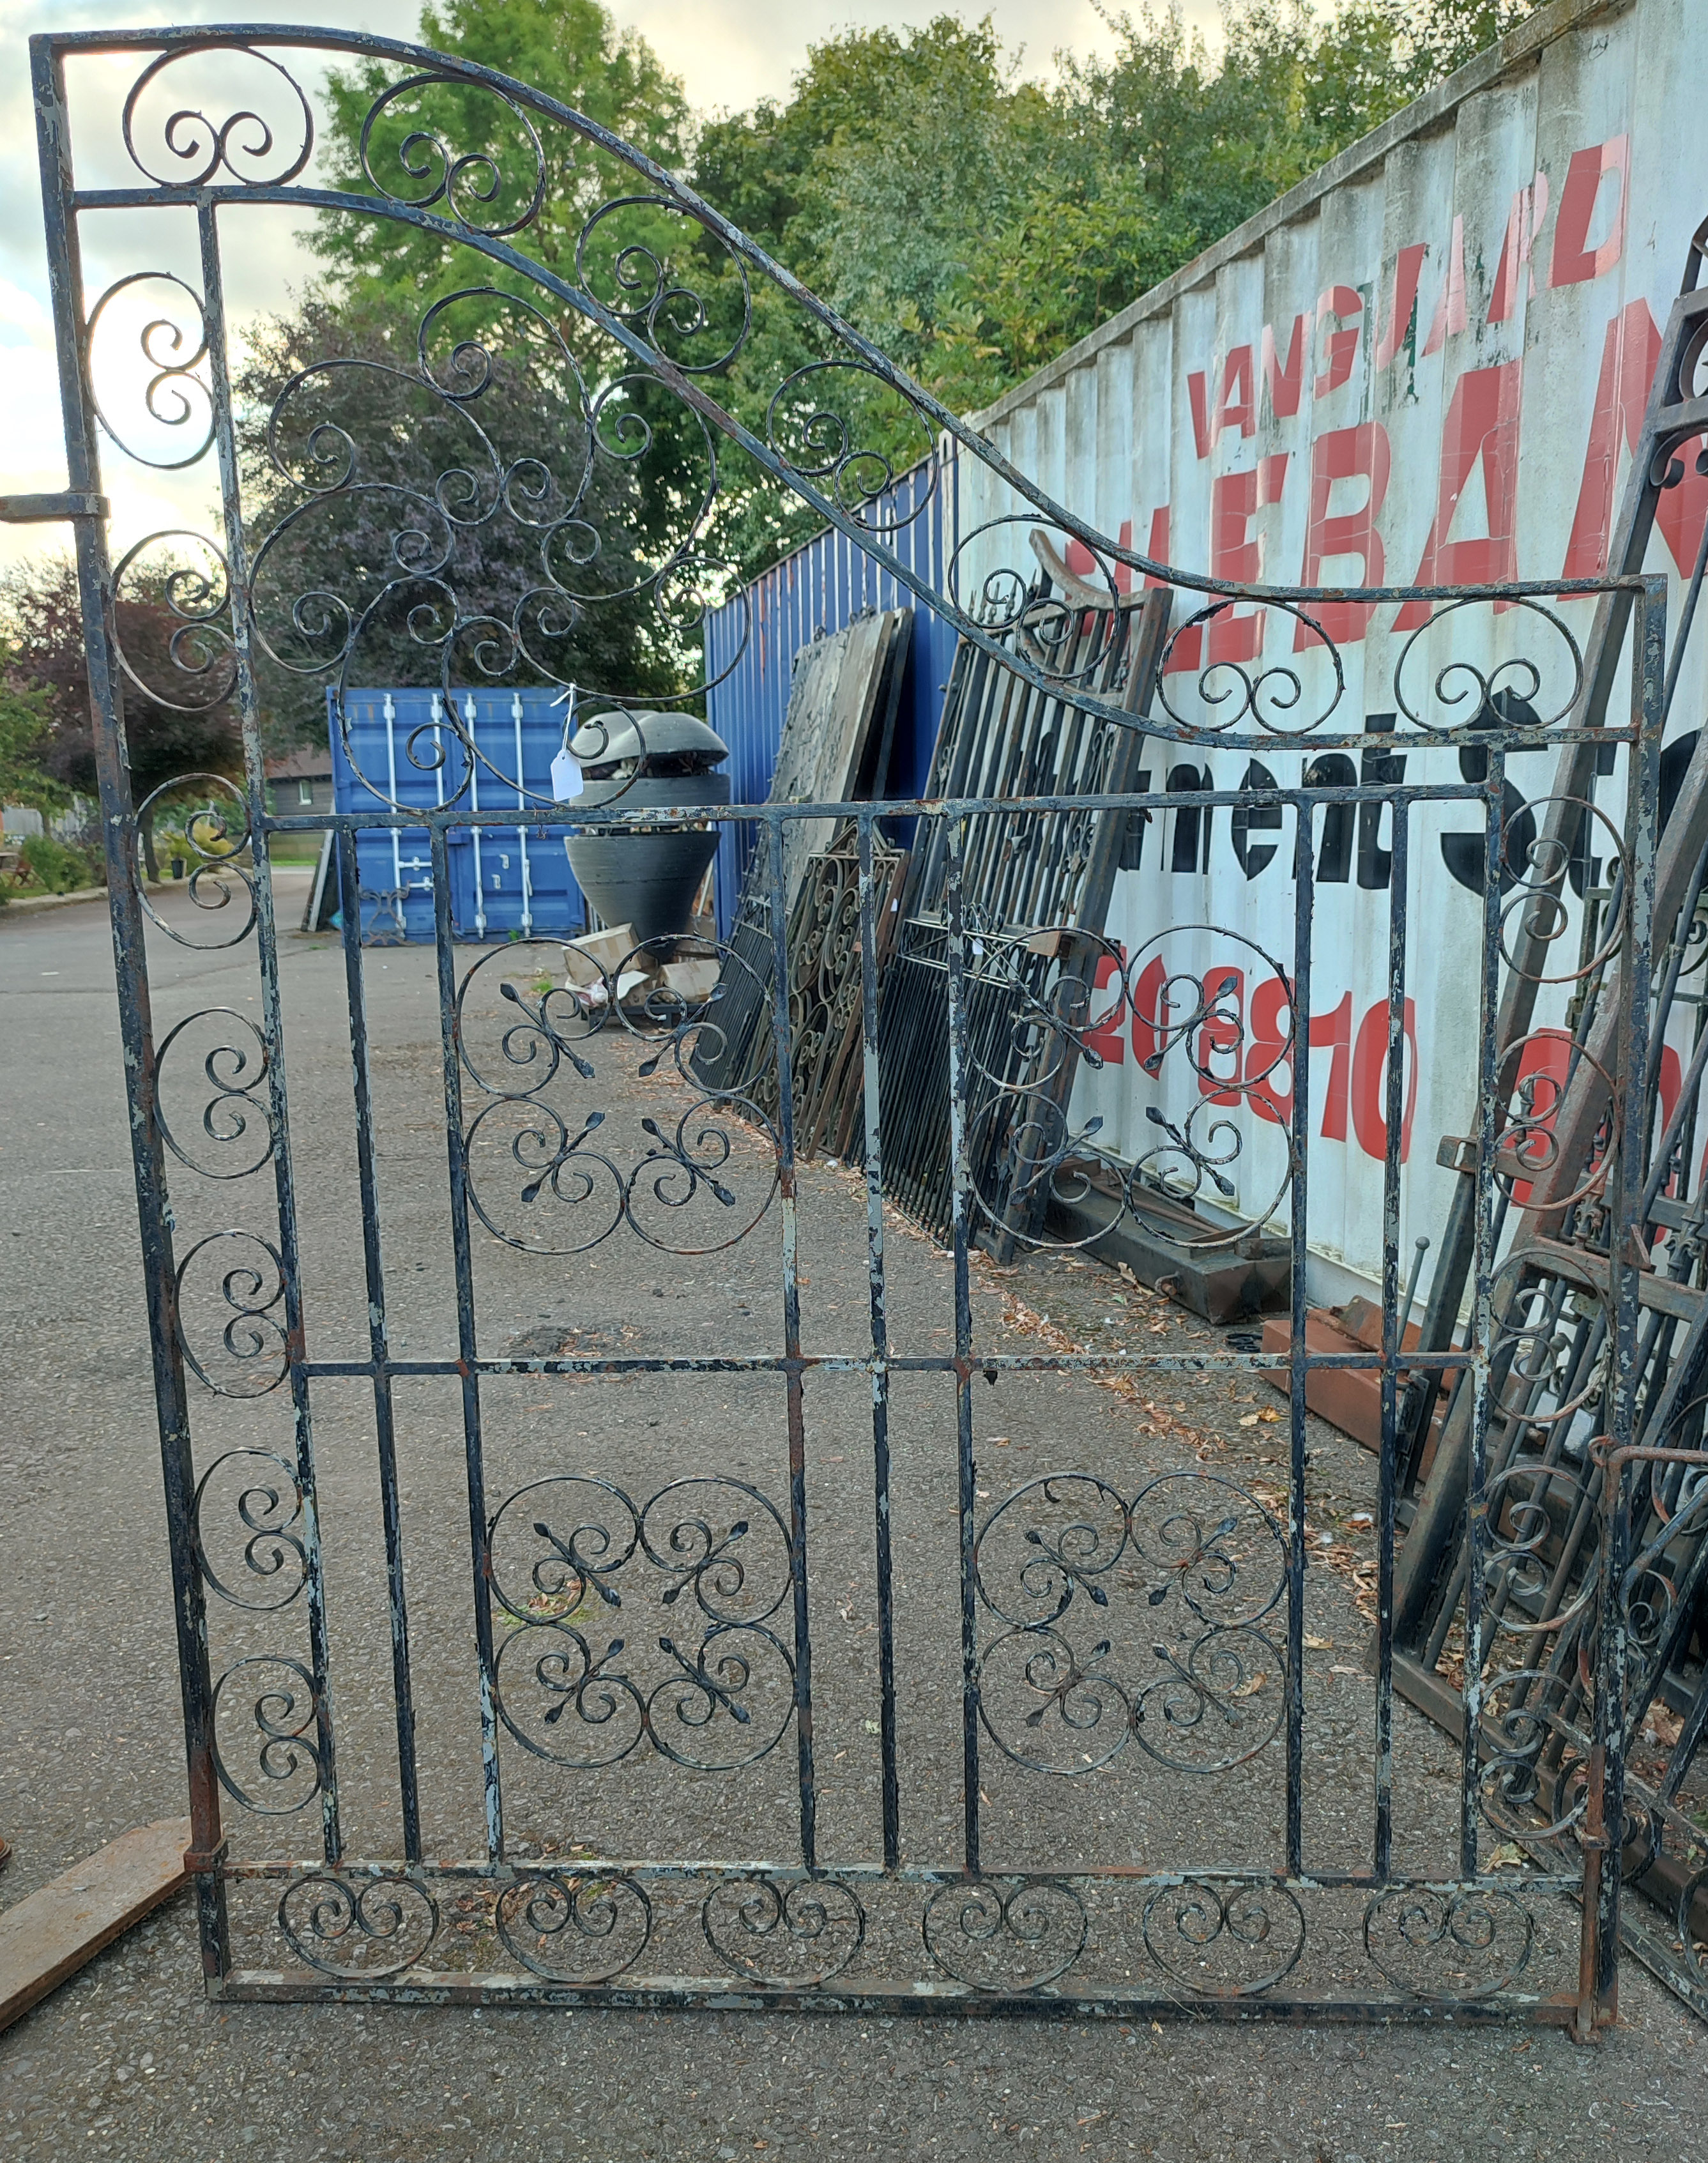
column 1594, row 2002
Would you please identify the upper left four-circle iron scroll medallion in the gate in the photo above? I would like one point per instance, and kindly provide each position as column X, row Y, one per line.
column 542, row 1171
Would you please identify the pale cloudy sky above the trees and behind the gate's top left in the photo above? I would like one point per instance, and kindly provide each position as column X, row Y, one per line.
column 728, row 53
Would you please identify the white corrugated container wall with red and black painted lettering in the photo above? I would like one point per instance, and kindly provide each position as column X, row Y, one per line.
column 1424, row 364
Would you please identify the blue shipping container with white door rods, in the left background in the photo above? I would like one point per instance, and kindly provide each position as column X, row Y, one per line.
column 503, row 879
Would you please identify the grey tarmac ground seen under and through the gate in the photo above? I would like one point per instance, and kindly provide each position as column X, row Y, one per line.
column 129, row 2060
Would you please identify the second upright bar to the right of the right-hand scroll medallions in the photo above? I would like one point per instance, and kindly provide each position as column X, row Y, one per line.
column 1393, row 1346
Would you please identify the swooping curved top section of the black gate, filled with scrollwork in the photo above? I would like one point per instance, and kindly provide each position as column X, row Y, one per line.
column 1019, row 585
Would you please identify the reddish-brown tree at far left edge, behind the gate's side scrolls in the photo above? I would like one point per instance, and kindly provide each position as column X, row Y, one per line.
column 176, row 695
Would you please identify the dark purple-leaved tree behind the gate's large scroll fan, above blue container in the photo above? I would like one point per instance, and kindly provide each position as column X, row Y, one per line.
column 431, row 501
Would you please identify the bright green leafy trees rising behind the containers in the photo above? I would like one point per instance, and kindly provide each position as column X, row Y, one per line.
column 963, row 217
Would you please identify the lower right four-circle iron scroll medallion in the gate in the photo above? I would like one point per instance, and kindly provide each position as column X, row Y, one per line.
column 1195, row 1677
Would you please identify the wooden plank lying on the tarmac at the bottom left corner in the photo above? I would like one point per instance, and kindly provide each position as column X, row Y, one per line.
column 59, row 1928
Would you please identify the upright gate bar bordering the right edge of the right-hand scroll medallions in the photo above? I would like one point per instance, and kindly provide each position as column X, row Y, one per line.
column 1305, row 903
